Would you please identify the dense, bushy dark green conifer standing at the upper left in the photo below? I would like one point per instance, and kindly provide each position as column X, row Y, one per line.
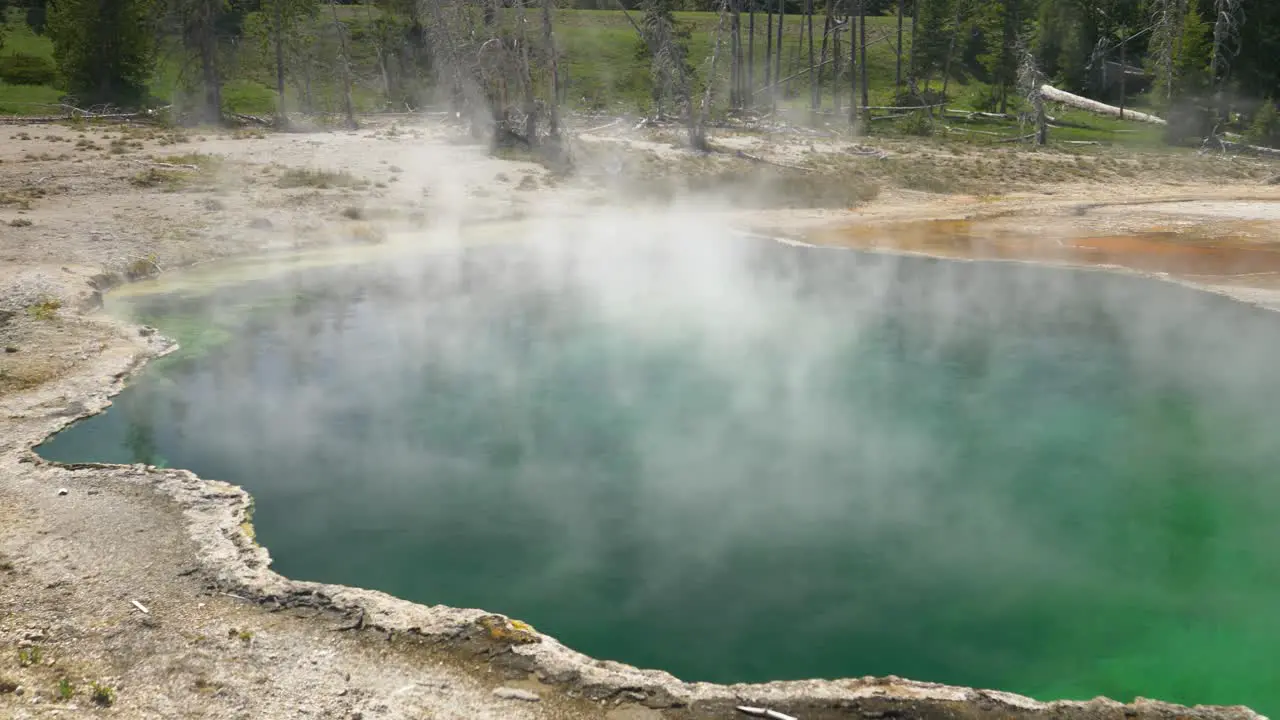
column 106, row 49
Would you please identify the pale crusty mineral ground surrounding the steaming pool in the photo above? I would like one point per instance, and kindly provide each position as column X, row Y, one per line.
column 148, row 582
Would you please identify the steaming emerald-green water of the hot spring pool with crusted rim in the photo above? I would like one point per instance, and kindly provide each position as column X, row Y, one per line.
column 761, row 463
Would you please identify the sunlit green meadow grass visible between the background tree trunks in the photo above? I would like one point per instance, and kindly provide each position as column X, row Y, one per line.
column 604, row 70
